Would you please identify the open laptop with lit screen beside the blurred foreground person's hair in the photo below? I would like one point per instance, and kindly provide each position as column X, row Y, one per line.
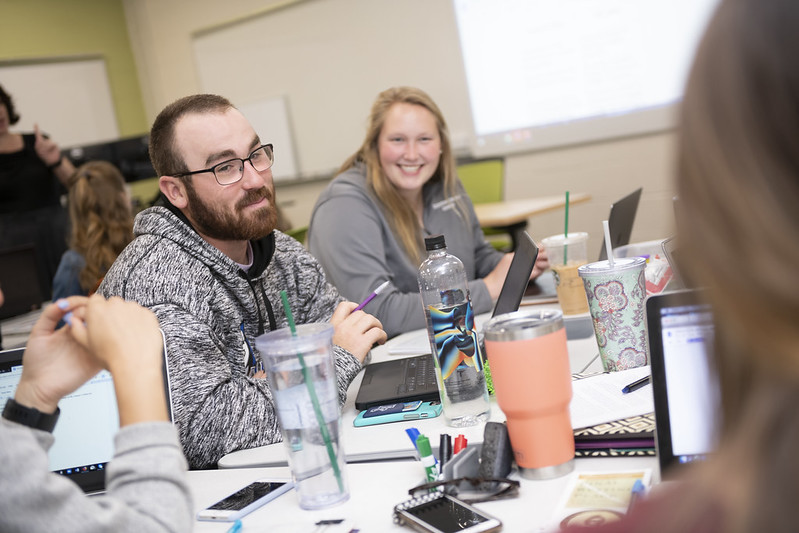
column 684, row 382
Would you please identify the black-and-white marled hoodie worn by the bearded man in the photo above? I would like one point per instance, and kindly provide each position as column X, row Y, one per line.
column 210, row 311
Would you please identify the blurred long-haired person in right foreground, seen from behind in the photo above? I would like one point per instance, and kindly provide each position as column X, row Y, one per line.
column 738, row 183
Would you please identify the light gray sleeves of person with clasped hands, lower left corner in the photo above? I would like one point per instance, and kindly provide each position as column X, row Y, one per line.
column 145, row 481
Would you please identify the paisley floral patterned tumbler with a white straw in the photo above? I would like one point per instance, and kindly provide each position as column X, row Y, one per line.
column 616, row 294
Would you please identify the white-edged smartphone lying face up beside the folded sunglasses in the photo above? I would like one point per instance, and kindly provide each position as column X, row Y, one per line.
column 441, row 513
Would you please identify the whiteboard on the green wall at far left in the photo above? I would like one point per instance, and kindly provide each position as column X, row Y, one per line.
column 70, row 100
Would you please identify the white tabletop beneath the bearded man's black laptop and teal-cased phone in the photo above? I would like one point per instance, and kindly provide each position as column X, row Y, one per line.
column 389, row 441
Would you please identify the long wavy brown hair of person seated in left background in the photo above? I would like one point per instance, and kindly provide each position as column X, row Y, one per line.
column 101, row 218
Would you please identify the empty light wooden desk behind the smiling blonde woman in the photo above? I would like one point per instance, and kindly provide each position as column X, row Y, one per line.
column 512, row 215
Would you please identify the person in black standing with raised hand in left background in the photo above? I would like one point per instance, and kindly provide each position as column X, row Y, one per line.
column 33, row 177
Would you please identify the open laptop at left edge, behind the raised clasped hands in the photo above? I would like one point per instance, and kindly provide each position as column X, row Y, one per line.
column 84, row 434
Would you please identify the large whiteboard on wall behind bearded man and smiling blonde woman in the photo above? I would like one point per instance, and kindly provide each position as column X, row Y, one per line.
column 328, row 60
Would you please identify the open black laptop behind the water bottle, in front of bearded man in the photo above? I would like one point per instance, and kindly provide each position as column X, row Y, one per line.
column 414, row 378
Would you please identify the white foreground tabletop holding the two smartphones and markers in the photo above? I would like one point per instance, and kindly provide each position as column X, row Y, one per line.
column 375, row 488
